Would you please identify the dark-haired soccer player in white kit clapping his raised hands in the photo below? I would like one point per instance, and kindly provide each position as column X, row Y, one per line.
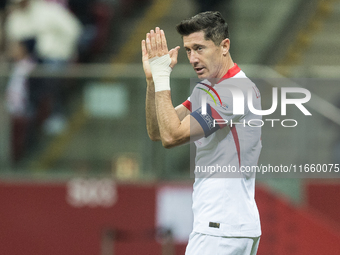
column 226, row 219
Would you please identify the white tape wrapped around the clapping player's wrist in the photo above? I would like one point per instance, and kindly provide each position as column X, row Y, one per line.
column 160, row 69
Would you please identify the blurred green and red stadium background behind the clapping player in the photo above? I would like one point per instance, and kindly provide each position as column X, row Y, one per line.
column 93, row 183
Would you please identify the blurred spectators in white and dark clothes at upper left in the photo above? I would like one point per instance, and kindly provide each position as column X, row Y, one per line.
column 55, row 33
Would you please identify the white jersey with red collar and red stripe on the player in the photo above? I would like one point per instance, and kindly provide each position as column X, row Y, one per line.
column 223, row 204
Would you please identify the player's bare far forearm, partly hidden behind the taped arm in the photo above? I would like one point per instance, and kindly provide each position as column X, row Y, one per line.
column 150, row 110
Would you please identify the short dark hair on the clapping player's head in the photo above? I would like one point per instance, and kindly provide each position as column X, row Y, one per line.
column 212, row 23
